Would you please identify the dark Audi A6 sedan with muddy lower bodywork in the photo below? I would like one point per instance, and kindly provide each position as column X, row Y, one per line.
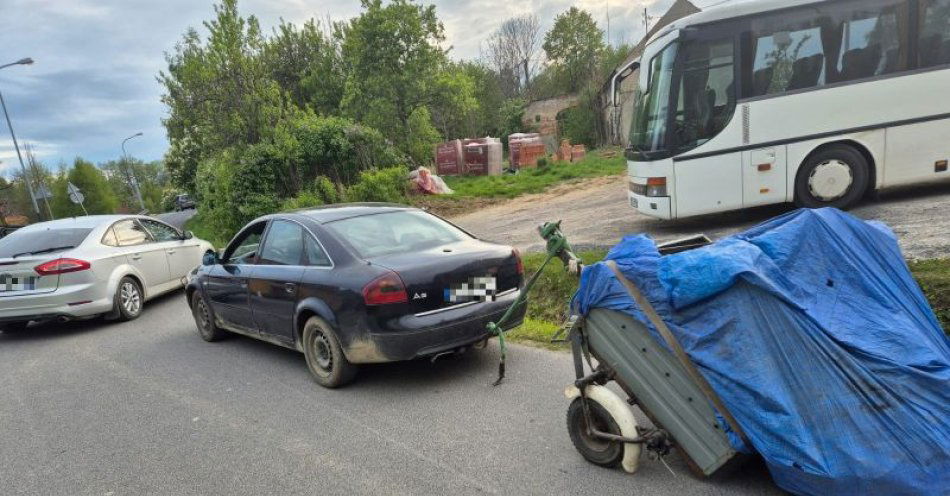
column 356, row 283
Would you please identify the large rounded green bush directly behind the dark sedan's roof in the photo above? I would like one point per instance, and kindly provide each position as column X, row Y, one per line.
column 311, row 161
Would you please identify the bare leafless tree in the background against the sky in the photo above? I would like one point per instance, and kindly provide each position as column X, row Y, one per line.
column 513, row 49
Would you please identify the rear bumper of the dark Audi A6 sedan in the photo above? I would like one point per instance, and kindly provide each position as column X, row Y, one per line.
column 431, row 335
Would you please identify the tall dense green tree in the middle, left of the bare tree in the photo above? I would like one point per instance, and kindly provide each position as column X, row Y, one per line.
column 394, row 63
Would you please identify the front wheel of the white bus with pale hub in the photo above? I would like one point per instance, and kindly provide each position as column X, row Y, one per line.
column 836, row 176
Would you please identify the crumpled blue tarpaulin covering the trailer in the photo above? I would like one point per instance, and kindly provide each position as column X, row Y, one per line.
column 816, row 337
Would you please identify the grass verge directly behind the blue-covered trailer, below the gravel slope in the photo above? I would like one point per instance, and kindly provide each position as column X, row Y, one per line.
column 549, row 299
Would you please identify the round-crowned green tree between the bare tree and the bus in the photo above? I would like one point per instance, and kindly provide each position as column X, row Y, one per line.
column 574, row 46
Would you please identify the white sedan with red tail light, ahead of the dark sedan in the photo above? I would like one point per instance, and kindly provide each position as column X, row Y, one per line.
column 84, row 267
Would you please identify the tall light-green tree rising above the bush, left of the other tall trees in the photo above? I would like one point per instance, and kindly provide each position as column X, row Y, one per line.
column 218, row 91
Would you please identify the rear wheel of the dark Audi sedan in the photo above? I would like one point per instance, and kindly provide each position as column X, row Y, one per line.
column 325, row 358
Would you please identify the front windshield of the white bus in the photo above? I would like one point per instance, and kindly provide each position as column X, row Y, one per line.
column 648, row 132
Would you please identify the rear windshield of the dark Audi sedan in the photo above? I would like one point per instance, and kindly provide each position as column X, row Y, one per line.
column 395, row 232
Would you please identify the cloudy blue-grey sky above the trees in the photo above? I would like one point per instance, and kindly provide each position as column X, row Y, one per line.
column 96, row 61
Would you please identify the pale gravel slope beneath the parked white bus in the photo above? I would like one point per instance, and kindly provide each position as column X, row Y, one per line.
column 595, row 214
